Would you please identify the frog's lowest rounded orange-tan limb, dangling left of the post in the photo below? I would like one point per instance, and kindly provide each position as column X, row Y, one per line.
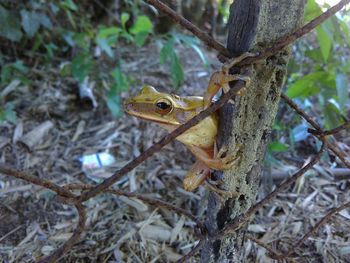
column 196, row 176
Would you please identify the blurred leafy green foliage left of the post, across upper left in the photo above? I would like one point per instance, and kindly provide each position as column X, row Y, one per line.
column 61, row 28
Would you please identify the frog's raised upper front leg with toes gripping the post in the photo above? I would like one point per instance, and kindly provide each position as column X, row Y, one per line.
column 220, row 79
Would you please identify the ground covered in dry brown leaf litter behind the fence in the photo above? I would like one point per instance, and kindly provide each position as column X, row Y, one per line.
column 33, row 221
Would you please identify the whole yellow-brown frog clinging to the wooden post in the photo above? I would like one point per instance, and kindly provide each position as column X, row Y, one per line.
column 170, row 111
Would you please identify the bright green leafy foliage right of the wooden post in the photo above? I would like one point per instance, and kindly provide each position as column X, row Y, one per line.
column 319, row 72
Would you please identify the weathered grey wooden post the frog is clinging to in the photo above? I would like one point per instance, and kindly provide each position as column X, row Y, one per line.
column 253, row 25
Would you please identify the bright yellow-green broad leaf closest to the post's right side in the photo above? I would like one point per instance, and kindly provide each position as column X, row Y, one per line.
column 306, row 85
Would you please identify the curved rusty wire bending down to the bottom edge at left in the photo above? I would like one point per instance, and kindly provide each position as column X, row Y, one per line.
column 72, row 240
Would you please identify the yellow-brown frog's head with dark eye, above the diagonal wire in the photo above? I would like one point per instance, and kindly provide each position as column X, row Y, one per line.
column 162, row 108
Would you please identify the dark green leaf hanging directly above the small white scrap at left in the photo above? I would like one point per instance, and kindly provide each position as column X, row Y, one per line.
column 81, row 66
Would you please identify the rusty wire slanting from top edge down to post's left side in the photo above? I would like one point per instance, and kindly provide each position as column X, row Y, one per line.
column 190, row 27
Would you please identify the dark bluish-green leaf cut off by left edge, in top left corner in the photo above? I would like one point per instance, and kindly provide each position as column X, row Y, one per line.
column 10, row 25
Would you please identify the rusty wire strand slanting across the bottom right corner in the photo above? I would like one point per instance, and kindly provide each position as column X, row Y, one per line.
column 325, row 219
